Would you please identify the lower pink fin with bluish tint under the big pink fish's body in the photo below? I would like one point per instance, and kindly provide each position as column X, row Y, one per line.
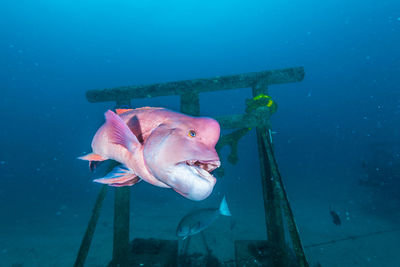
column 119, row 176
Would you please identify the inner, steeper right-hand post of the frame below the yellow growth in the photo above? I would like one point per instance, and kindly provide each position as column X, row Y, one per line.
column 272, row 205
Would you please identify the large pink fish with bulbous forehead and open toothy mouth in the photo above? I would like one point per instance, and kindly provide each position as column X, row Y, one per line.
column 162, row 147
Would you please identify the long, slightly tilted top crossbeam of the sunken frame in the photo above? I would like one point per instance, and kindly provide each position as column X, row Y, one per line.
column 217, row 83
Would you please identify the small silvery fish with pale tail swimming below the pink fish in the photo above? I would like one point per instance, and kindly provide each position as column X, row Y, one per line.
column 198, row 220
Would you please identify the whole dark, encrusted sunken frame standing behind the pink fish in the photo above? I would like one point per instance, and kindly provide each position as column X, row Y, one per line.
column 276, row 204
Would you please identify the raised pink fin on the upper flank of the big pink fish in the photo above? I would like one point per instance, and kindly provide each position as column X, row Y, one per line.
column 121, row 134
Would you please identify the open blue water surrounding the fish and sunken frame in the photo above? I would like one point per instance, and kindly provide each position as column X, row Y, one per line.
column 52, row 52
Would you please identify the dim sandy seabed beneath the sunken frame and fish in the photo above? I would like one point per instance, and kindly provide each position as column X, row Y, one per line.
column 53, row 239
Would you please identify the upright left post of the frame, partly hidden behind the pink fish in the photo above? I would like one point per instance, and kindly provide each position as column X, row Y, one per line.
column 121, row 219
